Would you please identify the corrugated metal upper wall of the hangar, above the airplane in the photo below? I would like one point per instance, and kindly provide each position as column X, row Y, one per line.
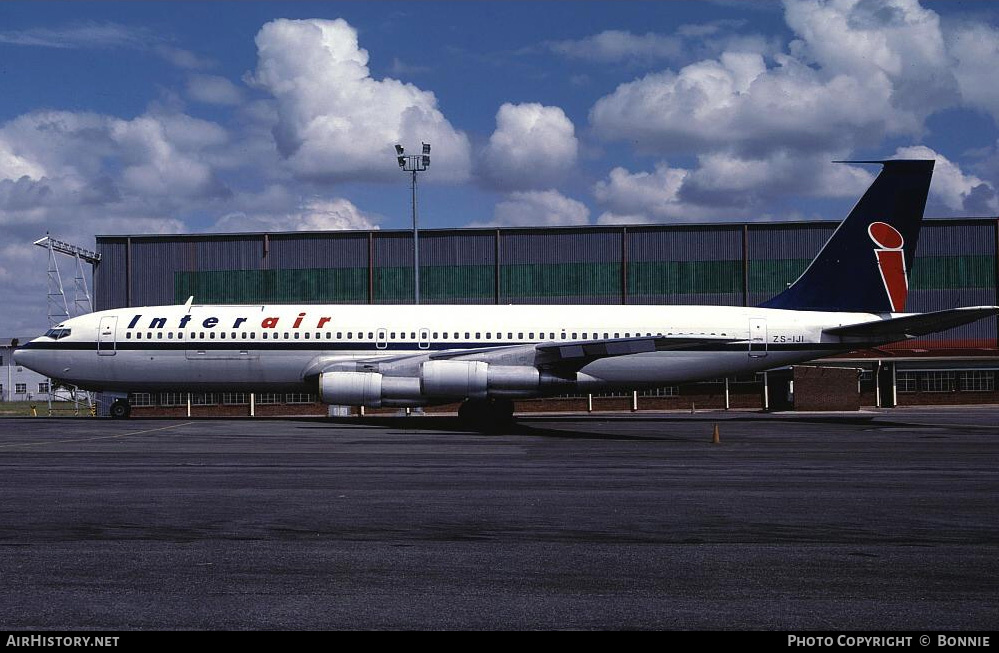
column 663, row 264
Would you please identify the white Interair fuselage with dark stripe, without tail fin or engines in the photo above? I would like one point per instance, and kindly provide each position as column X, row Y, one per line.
column 285, row 347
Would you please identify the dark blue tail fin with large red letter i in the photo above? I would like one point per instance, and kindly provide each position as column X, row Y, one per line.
column 864, row 266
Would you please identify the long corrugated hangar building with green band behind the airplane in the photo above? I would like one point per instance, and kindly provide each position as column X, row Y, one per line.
column 739, row 264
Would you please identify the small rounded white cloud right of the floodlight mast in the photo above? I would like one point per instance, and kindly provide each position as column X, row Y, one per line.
column 533, row 147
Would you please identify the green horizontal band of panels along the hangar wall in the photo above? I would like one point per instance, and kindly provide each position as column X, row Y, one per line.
column 442, row 284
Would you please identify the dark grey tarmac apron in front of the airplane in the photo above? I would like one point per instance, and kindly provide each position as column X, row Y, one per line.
column 884, row 520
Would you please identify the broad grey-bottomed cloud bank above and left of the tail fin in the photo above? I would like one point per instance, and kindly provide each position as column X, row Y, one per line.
column 738, row 103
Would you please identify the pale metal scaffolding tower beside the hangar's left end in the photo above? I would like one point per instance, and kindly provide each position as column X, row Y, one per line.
column 58, row 306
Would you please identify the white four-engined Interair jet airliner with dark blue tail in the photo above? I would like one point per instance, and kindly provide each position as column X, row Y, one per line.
column 852, row 296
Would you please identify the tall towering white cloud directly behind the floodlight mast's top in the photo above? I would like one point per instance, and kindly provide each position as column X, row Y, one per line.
column 335, row 121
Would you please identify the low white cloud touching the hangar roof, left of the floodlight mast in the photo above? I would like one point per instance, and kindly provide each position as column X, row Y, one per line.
column 314, row 215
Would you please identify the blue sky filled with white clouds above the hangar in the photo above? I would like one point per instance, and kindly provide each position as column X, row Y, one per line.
column 175, row 117
